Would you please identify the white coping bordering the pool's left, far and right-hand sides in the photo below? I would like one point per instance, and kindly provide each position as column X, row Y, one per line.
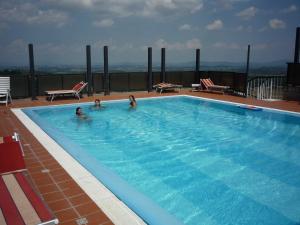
column 112, row 206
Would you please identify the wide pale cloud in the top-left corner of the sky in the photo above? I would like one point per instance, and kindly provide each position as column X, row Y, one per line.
column 29, row 13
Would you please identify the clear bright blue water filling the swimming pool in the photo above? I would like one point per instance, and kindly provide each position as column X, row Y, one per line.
column 203, row 162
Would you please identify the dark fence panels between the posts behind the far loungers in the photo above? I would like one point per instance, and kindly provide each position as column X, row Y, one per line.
column 121, row 81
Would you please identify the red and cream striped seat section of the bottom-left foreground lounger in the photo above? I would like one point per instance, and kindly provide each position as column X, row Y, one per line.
column 20, row 204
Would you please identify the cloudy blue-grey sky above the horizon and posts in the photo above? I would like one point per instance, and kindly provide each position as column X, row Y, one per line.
column 222, row 29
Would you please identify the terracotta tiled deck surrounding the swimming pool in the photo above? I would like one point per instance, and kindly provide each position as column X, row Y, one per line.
column 66, row 199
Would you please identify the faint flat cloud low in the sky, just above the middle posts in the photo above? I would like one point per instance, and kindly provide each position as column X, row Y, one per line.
column 189, row 44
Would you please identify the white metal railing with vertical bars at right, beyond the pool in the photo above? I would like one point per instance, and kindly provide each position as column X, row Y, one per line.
column 266, row 87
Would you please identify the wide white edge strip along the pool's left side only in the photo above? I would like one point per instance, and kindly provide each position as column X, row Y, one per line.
column 117, row 211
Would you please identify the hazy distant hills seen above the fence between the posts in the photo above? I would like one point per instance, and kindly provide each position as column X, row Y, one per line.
column 256, row 68
